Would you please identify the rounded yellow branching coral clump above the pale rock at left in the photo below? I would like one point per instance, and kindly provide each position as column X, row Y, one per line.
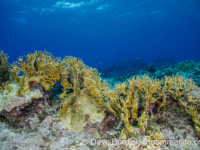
column 40, row 64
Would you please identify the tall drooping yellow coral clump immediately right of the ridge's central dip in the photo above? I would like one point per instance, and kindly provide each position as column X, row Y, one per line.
column 124, row 100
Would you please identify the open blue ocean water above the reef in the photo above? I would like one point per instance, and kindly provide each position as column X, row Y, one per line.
column 101, row 32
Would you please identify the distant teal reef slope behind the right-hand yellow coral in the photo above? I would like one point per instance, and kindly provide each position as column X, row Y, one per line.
column 187, row 69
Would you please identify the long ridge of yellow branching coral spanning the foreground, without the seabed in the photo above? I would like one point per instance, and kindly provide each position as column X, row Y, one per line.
column 86, row 98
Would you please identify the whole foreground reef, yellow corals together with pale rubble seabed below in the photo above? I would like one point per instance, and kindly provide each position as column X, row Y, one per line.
column 66, row 104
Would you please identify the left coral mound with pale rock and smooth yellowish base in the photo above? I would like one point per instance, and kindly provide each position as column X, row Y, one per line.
column 82, row 87
